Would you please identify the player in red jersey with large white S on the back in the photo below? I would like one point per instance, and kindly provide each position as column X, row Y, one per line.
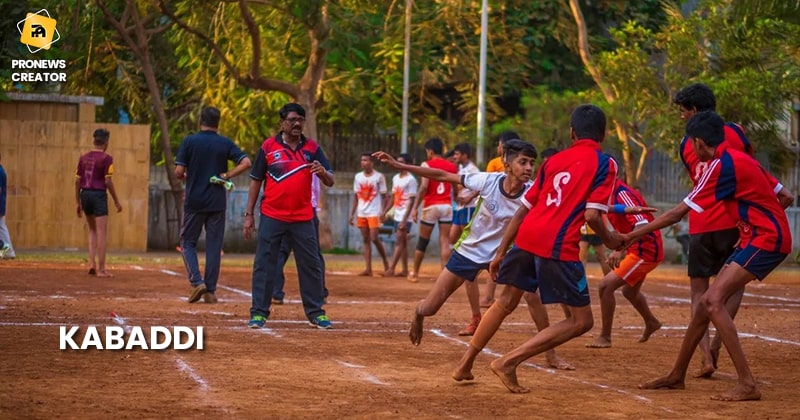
column 572, row 186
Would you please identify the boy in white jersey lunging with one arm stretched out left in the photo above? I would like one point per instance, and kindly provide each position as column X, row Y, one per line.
column 499, row 200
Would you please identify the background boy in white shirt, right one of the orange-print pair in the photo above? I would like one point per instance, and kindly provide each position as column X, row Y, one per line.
column 404, row 189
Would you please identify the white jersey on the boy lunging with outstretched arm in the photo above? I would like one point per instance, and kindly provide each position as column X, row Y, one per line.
column 495, row 209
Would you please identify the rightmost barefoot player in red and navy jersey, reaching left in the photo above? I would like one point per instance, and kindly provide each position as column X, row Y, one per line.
column 748, row 193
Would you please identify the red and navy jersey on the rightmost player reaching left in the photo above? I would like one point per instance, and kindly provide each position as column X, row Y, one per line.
column 748, row 193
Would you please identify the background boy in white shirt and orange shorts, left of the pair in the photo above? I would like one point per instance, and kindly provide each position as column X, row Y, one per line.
column 368, row 207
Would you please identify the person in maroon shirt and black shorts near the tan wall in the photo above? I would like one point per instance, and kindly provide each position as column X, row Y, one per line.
column 92, row 180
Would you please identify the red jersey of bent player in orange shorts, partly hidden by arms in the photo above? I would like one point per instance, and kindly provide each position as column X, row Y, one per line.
column 650, row 247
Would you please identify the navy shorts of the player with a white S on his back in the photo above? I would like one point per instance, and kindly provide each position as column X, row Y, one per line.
column 557, row 281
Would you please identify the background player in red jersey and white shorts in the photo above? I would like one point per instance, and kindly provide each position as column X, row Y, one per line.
column 436, row 198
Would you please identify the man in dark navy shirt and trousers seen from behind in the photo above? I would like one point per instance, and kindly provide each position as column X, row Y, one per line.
column 201, row 157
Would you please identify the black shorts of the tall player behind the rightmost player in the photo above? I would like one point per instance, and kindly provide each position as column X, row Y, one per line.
column 709, row 251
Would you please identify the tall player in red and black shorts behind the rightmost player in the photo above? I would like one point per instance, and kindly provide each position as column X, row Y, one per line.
column 713, row 233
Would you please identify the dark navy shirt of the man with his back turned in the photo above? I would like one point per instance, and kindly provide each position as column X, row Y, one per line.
column 205, row 154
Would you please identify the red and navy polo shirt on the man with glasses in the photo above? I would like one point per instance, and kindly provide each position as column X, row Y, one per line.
column 287, row 177
